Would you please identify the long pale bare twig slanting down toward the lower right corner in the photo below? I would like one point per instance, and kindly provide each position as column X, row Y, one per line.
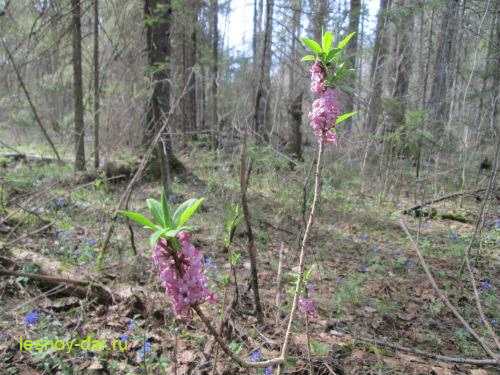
column 443, row 297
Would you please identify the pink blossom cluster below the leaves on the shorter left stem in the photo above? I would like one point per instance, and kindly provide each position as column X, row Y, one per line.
column 184, row 282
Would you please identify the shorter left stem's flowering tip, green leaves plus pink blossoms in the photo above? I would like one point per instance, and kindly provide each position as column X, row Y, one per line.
column 178, row 262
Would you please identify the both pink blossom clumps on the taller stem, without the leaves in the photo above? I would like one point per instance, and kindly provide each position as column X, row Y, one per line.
column 325, row 108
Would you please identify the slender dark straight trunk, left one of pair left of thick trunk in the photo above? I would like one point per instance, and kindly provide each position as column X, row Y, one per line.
column 78, row 87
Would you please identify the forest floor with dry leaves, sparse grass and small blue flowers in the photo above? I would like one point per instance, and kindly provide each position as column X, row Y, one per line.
column 368, row 281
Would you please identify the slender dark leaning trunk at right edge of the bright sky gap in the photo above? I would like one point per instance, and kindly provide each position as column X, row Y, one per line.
column 262, row 98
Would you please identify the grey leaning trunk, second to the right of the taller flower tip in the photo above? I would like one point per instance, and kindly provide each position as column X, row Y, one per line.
column 377, row 67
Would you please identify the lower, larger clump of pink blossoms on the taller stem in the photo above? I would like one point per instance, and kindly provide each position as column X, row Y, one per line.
column 325, row 110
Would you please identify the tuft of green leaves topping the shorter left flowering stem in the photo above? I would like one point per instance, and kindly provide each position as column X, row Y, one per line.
column 164, row 224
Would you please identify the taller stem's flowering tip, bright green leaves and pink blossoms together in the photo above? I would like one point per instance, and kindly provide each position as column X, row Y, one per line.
column 326, row 72
